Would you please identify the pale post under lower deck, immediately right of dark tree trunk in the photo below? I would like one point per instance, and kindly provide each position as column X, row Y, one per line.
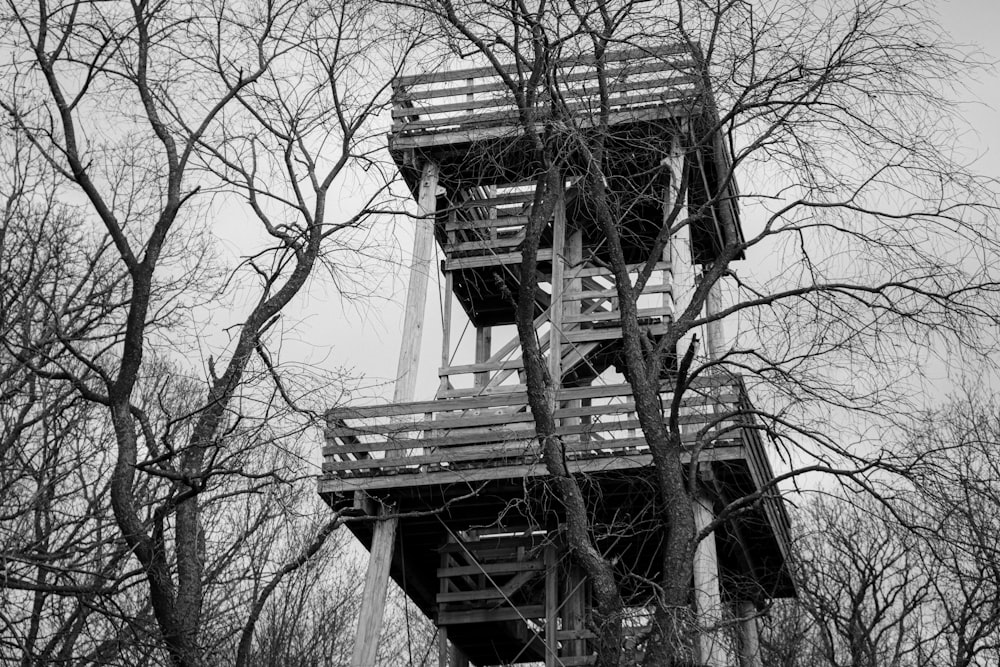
column 707, row 597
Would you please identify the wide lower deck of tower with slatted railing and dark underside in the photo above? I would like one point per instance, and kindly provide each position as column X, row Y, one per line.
column 455, row 470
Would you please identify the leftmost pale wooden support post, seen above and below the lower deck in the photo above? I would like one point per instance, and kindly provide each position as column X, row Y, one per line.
column 377, row 575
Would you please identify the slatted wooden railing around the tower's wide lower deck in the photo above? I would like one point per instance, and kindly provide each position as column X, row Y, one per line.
column 493, row 436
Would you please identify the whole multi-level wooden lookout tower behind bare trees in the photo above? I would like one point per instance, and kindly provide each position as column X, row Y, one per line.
column 475, row 540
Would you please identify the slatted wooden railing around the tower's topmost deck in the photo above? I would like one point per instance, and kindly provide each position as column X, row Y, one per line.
column 449, row 106
